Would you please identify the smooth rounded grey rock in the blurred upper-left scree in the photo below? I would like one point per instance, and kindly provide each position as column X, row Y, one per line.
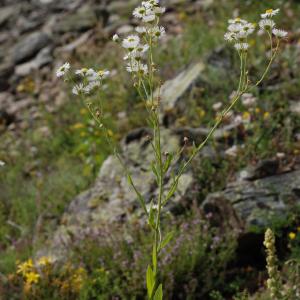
column 30, row 46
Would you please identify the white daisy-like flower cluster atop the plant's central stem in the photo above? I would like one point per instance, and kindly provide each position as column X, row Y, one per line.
column 137, row 45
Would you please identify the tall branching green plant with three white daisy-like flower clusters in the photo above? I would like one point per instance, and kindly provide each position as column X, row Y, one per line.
column 140, row 63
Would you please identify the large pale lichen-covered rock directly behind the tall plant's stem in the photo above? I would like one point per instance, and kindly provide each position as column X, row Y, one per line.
column 111, row 199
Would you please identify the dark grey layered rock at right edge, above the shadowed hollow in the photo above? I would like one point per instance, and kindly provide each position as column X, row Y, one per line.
column 245, row 204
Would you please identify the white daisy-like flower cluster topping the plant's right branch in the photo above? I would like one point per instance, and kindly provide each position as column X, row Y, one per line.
column 239, row 30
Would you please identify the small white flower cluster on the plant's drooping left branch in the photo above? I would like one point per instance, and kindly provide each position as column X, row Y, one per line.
column 89, row 78
